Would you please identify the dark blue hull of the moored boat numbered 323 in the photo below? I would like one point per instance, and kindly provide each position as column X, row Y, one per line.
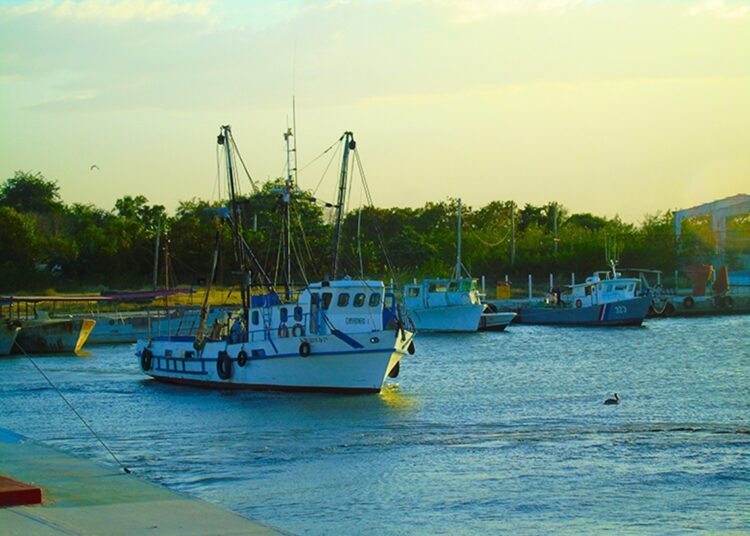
column 621, row 313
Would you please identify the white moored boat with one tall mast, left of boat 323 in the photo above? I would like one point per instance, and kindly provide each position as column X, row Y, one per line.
column 446, row 305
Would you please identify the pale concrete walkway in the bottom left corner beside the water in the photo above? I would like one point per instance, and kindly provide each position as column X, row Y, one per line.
column 84, row 497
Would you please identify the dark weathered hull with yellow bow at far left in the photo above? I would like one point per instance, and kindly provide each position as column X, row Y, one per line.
column 53, row 336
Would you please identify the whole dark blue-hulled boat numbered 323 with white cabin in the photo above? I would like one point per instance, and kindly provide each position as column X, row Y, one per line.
column 604, row 299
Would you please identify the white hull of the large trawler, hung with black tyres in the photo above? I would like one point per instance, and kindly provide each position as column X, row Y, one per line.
column 352, row 363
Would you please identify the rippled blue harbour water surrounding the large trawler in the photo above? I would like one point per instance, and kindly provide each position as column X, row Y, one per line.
column 481, row 433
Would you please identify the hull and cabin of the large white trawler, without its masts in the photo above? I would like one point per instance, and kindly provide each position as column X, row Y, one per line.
column 332, row 338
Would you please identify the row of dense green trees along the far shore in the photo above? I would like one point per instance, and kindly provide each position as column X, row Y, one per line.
column 47, row 243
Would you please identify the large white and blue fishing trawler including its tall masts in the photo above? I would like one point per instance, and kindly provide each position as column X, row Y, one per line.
column 332, row 335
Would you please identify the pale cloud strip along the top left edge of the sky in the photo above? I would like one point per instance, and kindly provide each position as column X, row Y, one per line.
column 111, row 10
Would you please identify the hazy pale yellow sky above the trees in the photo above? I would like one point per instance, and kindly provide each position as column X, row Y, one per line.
column 614, row 107
